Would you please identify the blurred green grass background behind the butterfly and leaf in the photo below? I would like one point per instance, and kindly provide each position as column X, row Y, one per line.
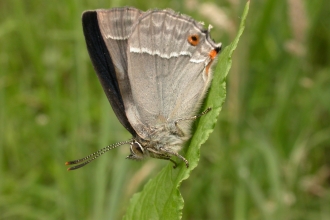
column 268, row 157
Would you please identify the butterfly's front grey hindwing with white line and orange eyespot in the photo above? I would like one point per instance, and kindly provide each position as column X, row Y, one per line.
column 167, row 74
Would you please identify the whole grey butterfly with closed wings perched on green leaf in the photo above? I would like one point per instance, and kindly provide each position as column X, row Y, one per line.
column 154, row 68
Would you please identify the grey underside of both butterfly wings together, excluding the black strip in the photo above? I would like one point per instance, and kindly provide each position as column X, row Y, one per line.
column 164, row 78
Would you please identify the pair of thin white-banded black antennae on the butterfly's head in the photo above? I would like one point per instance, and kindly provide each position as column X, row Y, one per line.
column 86, row 160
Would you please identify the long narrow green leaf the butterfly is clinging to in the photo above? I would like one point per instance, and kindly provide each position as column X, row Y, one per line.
column 161, row 198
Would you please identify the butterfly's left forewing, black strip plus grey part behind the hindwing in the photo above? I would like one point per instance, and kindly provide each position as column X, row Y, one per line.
column 106, row 33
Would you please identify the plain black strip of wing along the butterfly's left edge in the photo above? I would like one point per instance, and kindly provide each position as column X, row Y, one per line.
column 104, row 67
